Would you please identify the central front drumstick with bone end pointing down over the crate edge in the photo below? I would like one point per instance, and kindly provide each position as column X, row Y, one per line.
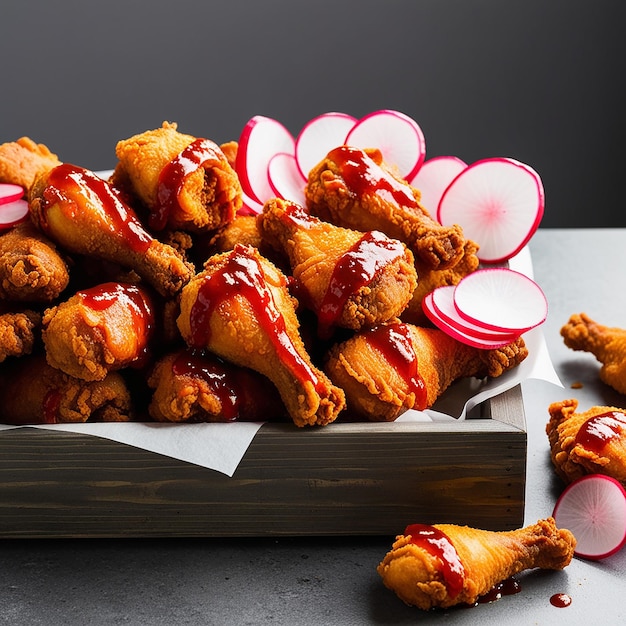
column 239, row 308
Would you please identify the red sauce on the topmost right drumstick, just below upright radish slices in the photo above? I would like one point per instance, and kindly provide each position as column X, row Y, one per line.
column 364, row 176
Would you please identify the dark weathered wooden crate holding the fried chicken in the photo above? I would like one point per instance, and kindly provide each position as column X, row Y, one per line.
column 343, row 479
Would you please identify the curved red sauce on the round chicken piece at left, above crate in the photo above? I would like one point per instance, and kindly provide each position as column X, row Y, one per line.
column 101, row 297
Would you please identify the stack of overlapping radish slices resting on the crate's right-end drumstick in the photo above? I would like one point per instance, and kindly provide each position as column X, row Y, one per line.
column 489, row 308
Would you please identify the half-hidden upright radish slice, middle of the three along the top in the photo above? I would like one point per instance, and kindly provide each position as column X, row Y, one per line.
column 319, row 136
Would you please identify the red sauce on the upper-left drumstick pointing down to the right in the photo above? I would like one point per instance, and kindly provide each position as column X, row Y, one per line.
column 66, row 180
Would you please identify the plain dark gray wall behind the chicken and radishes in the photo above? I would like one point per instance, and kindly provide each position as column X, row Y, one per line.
column 538, row 80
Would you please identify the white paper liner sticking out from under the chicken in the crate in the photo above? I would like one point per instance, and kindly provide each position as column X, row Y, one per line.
column 221, row 447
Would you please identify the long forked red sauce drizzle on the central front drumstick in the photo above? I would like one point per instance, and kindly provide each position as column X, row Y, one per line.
column 242, row 275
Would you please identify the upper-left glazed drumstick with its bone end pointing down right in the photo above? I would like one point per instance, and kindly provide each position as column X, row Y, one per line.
column 85, row 215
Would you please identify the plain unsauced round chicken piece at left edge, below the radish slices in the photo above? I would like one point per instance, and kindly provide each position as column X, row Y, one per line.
column 31, row 267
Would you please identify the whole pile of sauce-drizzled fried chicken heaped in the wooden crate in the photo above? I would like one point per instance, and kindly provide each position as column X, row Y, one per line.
column 152, row 295
